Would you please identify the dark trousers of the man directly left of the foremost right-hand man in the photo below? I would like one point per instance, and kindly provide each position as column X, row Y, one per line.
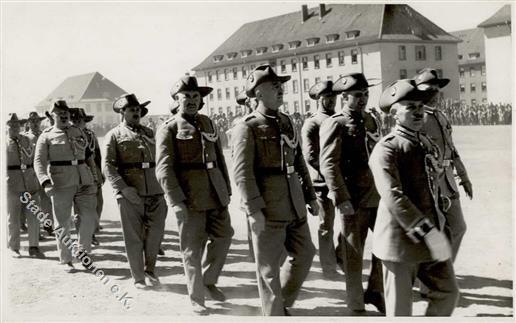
column 354, row 230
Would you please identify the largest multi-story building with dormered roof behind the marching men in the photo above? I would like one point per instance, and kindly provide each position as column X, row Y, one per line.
column 385, row 42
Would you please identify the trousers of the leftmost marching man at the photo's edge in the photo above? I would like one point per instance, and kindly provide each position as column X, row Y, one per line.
column 15, row 208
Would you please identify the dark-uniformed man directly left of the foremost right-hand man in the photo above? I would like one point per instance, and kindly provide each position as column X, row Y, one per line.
column 346, row 141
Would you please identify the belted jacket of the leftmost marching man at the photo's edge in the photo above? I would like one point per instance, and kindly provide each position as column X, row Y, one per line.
column 20, row 154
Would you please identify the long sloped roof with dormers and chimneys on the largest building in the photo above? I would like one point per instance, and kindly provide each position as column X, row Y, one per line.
column 372, row 22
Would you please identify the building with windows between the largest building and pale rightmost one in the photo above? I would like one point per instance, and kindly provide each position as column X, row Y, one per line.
column 472, row 66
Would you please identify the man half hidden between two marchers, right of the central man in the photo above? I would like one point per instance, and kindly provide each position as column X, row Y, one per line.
column 323, row 93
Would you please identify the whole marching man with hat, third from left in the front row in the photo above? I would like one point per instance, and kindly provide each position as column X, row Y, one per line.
column 129, row 165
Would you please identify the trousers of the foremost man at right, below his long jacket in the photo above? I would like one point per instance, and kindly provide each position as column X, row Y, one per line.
column 439, row 277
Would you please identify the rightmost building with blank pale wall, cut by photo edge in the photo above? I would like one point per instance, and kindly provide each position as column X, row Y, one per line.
column 499, row 56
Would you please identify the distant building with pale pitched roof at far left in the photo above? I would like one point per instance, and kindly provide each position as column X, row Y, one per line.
column 91, row 91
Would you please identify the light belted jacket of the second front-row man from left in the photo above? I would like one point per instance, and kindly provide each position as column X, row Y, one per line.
column 64, row 145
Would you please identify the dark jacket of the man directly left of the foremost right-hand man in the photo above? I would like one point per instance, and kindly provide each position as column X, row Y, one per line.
column 346, row 141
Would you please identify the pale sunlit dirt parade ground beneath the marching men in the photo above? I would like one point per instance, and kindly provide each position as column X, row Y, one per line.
column 40, row 290
